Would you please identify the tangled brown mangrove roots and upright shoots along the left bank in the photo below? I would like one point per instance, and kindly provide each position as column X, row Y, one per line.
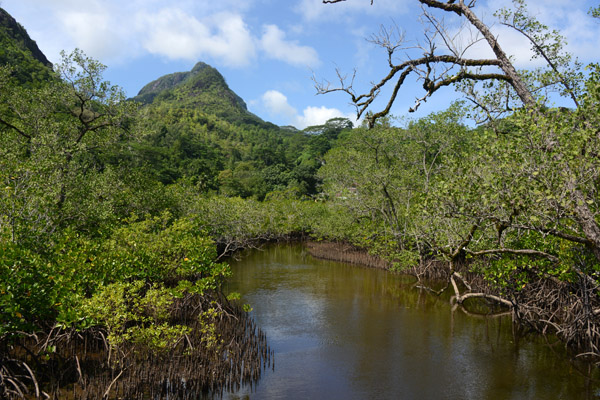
column 78, row 365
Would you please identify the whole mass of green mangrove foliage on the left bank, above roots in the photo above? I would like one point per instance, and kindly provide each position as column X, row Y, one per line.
column 73, row 251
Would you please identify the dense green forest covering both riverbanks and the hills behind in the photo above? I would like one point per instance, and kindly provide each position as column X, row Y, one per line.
column 123, row 220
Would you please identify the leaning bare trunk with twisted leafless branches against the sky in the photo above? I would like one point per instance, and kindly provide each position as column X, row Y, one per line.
column 435, row 68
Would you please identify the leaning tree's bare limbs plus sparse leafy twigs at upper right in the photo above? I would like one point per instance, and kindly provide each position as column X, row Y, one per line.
column 450, row 65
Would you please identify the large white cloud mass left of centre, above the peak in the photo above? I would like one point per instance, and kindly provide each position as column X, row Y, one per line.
column 115, row 31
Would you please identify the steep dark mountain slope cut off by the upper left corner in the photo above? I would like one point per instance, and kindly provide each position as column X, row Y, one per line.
column 18, row 51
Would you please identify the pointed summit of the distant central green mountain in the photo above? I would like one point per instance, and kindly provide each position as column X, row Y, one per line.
column 202, row 88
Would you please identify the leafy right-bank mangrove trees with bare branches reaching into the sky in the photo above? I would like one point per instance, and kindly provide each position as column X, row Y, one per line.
column 522, row 204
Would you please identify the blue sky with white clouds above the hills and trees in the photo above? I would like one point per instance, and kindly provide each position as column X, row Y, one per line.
column 270, row 50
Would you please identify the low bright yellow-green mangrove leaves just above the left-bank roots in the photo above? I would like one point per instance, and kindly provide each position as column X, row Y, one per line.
column 37, row 289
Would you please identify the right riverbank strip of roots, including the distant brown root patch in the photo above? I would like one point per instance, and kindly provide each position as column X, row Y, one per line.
column 545, row 305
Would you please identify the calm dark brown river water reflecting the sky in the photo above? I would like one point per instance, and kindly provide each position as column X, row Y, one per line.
column 345, row 332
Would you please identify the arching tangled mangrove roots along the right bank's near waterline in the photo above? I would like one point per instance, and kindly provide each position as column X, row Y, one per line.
column 568, row 310
